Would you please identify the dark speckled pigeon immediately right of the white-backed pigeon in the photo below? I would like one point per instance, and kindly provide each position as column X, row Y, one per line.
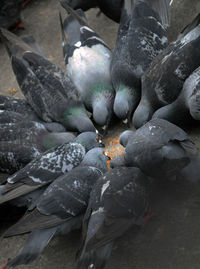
column 142, row 35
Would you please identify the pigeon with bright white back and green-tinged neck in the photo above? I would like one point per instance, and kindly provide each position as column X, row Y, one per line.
column 87, row 60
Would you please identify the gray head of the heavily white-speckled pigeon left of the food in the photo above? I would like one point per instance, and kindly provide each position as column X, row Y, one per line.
column 89, row 140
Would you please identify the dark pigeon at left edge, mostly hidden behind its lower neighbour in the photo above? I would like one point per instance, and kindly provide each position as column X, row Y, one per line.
column 24, row 112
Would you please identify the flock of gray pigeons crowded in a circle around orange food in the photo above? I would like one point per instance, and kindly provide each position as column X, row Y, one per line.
column 63, row 179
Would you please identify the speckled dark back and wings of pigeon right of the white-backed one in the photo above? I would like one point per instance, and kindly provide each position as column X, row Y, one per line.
column 141, row 37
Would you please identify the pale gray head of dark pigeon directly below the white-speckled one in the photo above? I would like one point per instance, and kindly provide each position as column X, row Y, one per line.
column 96, row 158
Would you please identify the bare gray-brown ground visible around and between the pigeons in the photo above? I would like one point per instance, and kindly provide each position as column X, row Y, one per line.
column 169, row 241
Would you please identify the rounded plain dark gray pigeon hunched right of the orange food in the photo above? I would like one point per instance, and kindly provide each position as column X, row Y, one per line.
column 159, row 148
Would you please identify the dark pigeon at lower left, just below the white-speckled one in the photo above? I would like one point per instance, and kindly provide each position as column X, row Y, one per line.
column 59, row 209
